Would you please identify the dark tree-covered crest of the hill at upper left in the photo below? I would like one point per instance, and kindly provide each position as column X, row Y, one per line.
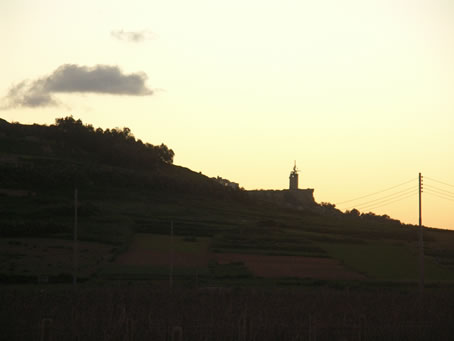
column 72, row 138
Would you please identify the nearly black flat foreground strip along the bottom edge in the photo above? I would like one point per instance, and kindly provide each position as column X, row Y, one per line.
column 138, row 313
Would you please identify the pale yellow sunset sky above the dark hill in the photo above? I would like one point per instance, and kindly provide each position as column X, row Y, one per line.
column 359, row 92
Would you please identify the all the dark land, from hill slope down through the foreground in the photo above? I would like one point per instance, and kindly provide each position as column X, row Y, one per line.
column 235, row 268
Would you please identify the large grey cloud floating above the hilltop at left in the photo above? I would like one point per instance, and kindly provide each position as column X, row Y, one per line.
column 70, row 78
